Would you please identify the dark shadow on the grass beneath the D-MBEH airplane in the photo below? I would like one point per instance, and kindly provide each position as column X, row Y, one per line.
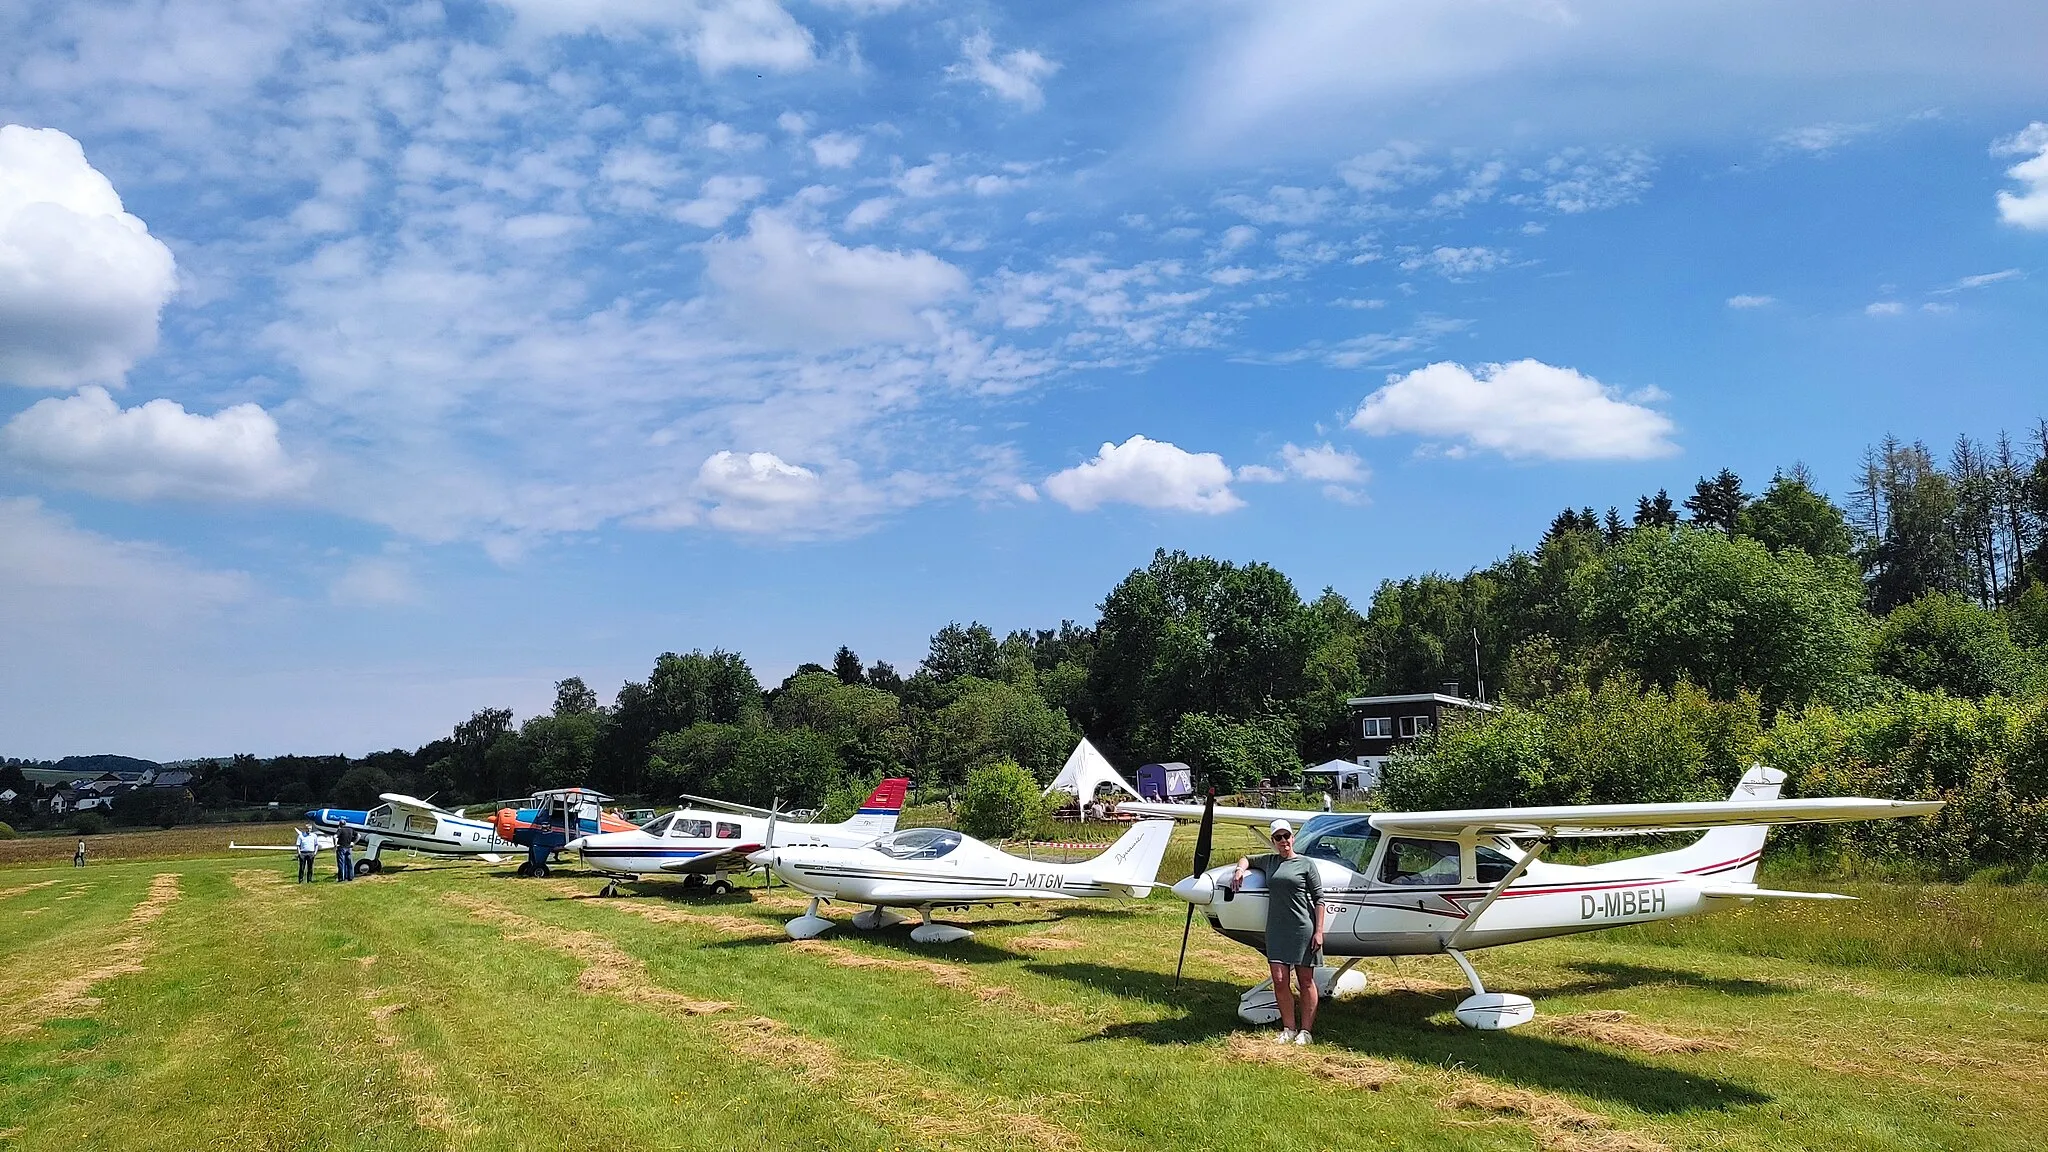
column 1408, row 1026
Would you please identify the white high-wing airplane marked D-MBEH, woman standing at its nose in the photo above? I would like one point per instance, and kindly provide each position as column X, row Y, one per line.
column 1451, row 882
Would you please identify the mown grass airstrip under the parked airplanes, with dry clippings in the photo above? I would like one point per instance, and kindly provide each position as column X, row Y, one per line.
column 212, row 1003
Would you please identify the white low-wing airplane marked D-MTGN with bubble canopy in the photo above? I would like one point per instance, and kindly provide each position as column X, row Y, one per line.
column 939, row 868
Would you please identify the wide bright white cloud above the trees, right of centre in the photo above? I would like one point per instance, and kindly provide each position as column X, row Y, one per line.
column 1523, row 409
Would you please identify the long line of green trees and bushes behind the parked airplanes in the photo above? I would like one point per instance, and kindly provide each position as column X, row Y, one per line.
column 1639, row 657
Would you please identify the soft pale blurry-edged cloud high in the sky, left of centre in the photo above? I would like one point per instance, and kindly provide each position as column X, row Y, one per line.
column 800, row 288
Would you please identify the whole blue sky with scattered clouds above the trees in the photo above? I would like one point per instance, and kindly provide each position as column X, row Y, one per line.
column 366, row 366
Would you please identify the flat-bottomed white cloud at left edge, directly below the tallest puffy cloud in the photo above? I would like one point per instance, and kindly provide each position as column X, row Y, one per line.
column 155, row 450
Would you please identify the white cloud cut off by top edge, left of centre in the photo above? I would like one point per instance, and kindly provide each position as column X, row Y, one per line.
column 718, row 34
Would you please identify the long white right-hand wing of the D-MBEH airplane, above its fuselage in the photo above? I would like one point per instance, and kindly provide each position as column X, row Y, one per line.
column 1629, row 819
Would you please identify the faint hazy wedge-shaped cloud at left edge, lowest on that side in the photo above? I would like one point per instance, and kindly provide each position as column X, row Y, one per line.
column 54, row 571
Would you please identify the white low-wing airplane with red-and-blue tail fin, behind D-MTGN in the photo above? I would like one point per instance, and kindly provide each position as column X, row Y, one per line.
column 712, row 841
